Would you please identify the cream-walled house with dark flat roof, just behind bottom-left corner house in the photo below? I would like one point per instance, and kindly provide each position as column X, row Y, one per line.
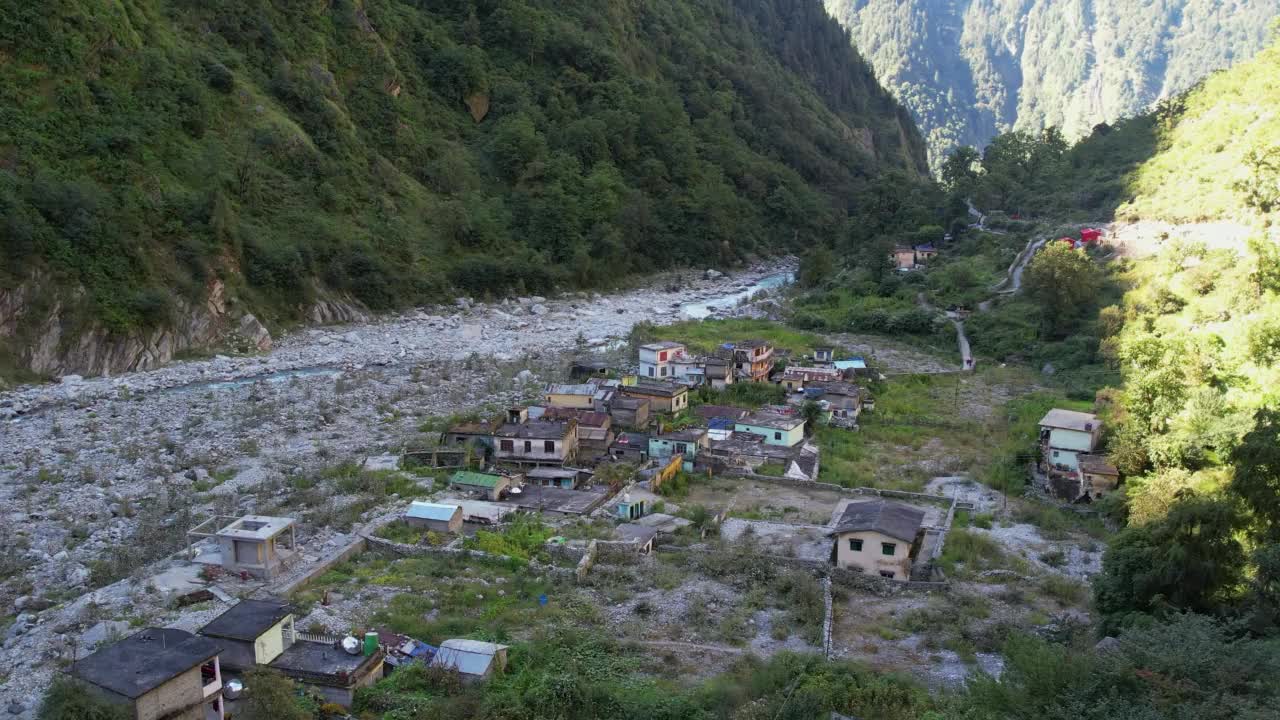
column 253, row 632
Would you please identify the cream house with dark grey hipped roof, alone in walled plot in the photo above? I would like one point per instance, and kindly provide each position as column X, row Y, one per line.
column 879, row 536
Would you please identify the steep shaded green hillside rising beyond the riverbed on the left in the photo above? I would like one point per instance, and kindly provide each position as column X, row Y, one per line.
column 167, row 166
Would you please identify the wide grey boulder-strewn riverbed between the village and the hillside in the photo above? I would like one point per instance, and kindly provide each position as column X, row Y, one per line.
column 102, row 477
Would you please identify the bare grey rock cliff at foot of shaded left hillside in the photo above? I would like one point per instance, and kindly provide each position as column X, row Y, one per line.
column 52, row 344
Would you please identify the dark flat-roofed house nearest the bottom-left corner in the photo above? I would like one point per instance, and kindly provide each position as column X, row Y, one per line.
column 158, row 675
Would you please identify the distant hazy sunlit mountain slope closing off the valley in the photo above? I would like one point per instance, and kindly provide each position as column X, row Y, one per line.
column 970, row 70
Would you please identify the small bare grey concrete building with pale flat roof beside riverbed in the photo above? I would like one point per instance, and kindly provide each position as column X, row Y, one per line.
column 254, row 545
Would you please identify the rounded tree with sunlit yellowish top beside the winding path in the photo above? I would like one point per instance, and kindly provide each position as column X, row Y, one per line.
column 1064, row 284
